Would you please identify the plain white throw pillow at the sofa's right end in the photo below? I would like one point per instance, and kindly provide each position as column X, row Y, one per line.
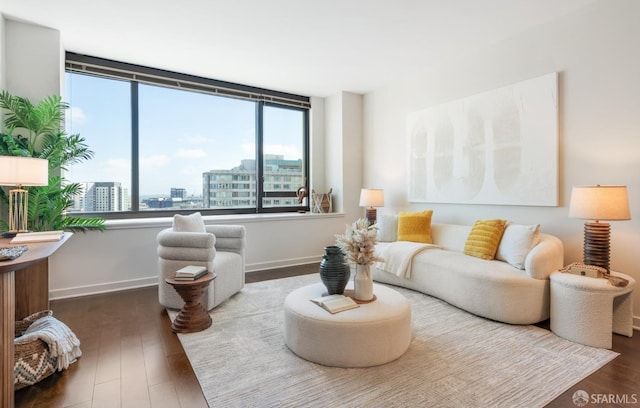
column 517, row 241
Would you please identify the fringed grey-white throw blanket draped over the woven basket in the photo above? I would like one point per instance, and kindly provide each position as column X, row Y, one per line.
column 63, row 343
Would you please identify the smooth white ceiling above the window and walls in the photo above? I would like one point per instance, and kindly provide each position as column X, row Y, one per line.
column 315, row 48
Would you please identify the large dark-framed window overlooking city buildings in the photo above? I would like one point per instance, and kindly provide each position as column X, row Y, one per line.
column 168, row 142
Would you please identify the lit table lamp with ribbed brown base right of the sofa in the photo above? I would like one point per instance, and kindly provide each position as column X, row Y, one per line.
column 599, row 203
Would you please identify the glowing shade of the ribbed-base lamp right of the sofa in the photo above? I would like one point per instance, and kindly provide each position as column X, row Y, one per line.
column 606, row 203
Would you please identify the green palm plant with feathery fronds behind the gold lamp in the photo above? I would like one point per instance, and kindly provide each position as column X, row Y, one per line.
column 38, row 131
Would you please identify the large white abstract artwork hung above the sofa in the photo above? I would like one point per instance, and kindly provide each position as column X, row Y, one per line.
column 497, row 147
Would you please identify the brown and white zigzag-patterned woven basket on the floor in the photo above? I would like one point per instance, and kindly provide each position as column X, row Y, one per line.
column 33, row 362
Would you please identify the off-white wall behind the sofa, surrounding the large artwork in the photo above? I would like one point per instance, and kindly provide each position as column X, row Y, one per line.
column 596, row 53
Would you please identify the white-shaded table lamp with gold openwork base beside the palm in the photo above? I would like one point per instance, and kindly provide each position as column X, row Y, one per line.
column 20, row 172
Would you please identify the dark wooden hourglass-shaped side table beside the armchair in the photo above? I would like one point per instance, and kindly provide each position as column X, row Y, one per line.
column 193, row 317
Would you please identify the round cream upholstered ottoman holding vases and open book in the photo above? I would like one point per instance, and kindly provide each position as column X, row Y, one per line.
column 374, row 333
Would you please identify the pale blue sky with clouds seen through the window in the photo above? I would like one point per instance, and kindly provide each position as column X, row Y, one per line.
column 182, row 134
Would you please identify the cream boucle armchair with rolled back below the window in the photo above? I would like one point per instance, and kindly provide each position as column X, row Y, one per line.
column 219, row 247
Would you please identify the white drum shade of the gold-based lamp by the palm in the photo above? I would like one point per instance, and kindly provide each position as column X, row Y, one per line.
column 23, row 171
